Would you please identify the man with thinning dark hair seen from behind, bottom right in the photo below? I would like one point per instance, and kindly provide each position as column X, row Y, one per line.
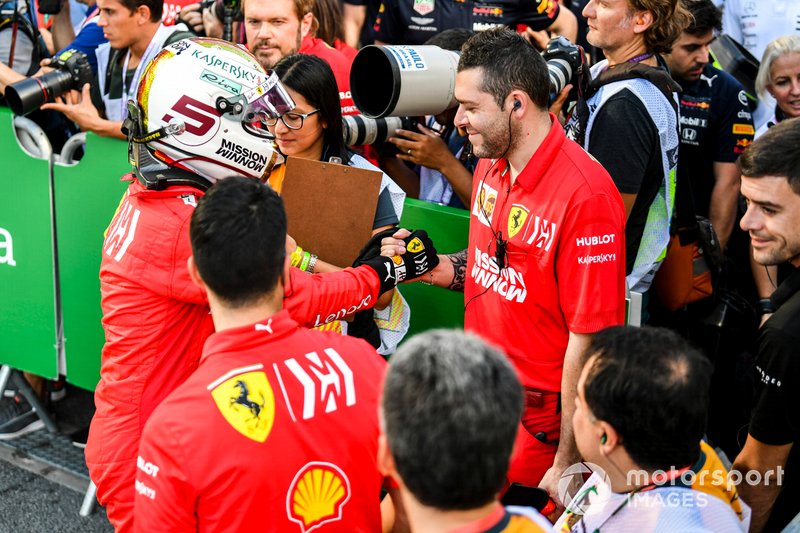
column 640, row 413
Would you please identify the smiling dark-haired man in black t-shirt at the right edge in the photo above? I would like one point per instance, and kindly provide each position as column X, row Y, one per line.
column 771, row 186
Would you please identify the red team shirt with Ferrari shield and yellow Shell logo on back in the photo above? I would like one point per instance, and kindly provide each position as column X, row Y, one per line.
column 277, row 430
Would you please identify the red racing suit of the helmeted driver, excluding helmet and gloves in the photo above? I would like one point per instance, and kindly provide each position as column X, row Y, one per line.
column 156, row 321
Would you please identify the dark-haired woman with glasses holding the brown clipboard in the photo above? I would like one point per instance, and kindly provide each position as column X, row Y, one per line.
column 313, row 130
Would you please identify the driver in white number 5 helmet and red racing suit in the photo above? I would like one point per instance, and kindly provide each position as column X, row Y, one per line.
column 155, row 319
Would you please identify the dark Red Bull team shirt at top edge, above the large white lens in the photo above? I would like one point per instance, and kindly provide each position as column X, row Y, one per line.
column 415, row 21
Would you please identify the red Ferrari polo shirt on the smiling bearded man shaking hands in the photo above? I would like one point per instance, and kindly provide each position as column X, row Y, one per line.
column 563, row 219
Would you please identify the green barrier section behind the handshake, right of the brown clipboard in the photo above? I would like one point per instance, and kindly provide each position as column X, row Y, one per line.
column 434, row 307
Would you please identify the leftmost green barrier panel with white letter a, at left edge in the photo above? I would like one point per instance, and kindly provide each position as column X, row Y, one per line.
column 27, row 292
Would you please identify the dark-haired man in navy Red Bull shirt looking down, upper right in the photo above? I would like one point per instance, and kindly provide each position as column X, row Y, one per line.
column 716, row 125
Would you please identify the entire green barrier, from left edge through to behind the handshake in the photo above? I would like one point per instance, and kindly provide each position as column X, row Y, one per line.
column 85, row 198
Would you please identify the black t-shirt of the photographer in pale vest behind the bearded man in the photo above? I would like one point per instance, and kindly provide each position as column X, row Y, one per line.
column 624, row 139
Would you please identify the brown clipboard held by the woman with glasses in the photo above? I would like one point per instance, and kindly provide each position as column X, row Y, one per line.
column 330, row 207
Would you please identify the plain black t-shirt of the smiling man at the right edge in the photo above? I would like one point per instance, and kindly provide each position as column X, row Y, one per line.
column 776, row 409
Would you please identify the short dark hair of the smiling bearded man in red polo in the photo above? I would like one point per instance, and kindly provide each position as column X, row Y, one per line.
column 509, row 62
